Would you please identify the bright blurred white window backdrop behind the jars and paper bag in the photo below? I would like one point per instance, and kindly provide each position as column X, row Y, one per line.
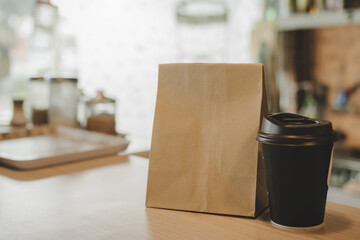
column 111, row 45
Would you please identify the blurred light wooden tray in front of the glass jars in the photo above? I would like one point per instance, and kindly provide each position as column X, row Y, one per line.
column 49, row 145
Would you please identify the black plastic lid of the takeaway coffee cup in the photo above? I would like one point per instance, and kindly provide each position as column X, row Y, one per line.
column 293, row 129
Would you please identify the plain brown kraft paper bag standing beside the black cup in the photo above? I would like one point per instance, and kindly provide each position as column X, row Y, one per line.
column 204, row 154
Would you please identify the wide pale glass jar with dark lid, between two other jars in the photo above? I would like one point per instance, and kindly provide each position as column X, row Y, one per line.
column 64, row 97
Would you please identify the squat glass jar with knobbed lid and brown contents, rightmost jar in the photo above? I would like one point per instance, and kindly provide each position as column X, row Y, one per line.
column 101, row 113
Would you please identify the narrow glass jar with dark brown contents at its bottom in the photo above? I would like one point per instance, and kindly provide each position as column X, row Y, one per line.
column 39, row 100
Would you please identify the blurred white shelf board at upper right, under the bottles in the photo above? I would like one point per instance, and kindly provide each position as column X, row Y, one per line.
column 320, row 20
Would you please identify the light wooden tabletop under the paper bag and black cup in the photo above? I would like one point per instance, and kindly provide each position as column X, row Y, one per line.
column 105, row 199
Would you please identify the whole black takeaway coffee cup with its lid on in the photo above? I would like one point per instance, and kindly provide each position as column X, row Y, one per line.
column 297, row 151
